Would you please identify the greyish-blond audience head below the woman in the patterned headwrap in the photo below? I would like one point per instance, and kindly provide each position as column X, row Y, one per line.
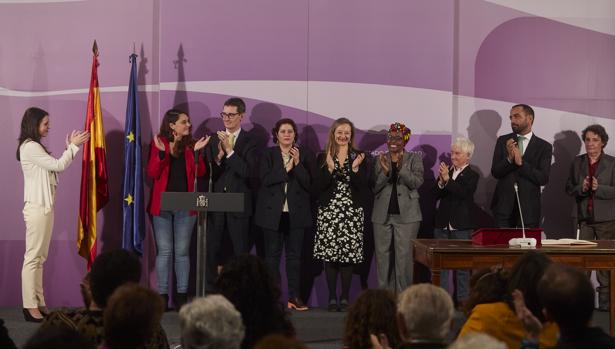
column 427, row 311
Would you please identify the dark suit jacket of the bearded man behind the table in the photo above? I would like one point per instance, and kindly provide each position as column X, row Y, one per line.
column 530, row 176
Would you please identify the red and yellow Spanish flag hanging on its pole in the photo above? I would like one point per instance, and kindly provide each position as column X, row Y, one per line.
column 94, row 188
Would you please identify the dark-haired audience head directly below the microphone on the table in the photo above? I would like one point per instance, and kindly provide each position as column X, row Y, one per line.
column 524, row 276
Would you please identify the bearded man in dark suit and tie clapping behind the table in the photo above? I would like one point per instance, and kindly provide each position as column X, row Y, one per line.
column 522, row 158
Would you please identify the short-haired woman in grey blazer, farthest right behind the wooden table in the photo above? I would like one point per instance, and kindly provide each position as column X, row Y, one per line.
column 592, row 183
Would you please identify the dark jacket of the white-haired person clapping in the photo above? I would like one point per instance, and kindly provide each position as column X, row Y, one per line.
column 457, row 200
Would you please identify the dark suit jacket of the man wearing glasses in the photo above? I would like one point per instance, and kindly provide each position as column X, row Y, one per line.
column 236, row 173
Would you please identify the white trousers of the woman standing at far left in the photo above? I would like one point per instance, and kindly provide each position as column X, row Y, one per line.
column 38, row 236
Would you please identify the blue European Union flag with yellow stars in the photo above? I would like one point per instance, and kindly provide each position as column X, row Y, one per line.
column 134, row 220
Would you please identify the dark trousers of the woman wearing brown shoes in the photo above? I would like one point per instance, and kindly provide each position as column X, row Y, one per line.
column 292, row 239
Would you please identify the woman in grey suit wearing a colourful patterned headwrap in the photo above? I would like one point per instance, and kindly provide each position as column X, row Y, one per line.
column 397, row 213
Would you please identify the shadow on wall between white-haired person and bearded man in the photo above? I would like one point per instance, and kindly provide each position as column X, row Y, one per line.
column 482, row 131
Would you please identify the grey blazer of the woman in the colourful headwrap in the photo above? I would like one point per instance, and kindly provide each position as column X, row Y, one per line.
column 409, row 178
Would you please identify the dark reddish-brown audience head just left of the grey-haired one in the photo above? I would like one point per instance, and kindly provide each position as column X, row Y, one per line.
column 132, row 317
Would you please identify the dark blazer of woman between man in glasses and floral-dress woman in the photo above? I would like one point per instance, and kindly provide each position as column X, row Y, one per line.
column 271, row 194
